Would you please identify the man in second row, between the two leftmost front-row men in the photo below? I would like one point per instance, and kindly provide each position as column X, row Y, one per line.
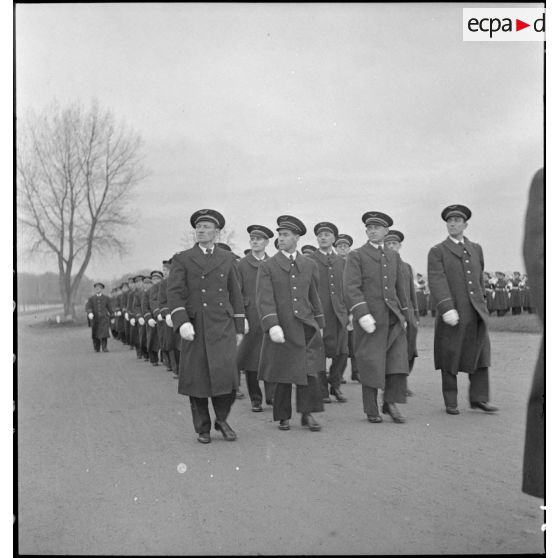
column 248, row 356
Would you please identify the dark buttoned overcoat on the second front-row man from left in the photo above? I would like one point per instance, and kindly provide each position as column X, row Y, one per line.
column 287, row 296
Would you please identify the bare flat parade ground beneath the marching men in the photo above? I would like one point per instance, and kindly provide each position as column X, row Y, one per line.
column 108, row 463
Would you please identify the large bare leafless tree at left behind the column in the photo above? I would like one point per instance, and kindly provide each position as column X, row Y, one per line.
column 76, row 169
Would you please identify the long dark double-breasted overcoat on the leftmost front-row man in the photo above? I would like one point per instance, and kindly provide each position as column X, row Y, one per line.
column 206, row 292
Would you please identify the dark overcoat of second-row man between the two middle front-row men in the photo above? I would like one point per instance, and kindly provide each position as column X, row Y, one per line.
column 330, row 289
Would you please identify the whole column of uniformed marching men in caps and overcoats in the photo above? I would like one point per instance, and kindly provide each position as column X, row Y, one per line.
column 207, row 316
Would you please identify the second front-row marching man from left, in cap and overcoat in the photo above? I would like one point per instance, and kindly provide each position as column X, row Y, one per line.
column 292, row 319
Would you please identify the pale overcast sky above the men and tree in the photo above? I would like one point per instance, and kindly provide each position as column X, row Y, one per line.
column 322, row 111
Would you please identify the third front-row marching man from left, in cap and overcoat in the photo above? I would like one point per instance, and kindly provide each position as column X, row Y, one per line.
column 375, row 295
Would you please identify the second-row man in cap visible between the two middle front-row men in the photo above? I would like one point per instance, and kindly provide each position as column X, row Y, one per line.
column 330, row 289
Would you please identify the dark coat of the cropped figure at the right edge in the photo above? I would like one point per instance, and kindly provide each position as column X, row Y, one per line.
column 534, row 256
